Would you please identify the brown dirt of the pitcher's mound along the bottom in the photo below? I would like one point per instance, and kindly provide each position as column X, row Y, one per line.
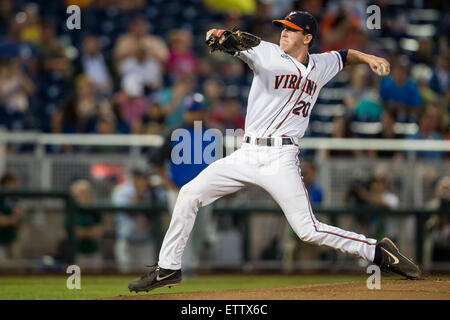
column 390, row 290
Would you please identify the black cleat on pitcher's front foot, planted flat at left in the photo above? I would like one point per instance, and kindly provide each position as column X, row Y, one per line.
column 156, row 278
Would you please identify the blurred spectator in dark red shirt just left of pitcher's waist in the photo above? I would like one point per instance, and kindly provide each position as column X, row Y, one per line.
column 229, row 116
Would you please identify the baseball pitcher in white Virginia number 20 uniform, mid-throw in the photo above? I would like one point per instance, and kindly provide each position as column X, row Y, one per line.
column 287, row 81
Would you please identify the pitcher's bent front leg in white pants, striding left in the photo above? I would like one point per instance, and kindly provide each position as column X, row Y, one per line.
column 215, row 181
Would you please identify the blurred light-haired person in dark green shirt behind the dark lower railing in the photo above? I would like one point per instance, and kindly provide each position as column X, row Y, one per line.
column 88, row 228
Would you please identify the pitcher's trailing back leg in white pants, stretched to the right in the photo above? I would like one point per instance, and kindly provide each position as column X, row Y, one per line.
column 290, row 193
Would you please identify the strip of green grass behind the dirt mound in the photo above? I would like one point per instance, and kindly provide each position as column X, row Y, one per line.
column 54, row 287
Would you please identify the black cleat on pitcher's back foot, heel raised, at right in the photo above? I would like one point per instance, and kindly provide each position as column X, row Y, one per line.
column 392, row 260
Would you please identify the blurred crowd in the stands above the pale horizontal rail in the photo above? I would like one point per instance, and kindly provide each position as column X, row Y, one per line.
column 132, row 65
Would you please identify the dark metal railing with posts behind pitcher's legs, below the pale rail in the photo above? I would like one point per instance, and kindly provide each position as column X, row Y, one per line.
column 243, row 213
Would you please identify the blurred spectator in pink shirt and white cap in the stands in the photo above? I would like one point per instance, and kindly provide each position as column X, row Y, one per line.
column 132, row 101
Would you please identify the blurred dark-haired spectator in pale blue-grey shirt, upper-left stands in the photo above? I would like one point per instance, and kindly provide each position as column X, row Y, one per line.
column 94, row 65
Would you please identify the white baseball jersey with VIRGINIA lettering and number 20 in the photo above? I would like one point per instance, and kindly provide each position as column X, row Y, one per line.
column 284, row 91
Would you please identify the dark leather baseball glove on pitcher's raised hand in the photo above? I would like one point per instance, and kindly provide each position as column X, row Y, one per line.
column 234, row 40
